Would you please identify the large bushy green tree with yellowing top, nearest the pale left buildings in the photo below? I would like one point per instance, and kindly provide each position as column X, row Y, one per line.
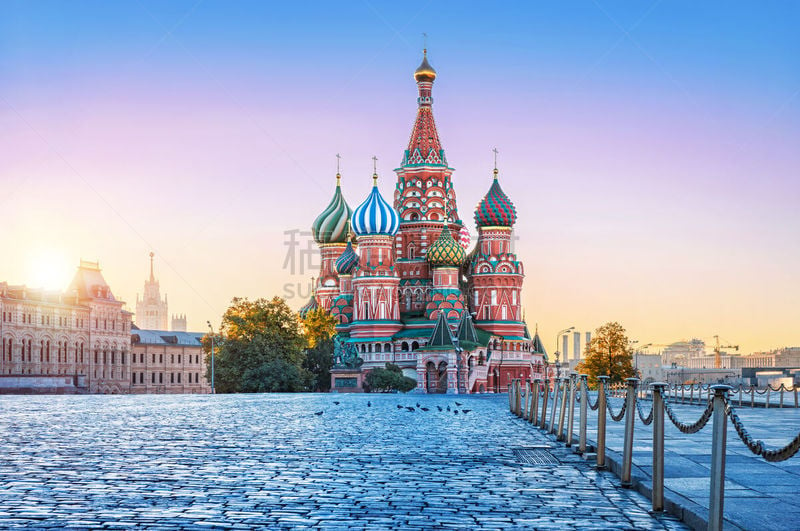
column 260, row 348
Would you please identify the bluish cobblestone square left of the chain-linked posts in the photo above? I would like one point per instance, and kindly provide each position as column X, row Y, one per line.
column 268, row 461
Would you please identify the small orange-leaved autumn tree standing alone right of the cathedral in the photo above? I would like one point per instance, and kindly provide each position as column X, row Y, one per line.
column 608, row 353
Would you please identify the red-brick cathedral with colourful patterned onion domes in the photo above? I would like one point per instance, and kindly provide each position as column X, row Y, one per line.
column 403, row 288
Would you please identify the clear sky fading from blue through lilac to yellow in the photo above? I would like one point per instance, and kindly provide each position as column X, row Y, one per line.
column 651, row 148
